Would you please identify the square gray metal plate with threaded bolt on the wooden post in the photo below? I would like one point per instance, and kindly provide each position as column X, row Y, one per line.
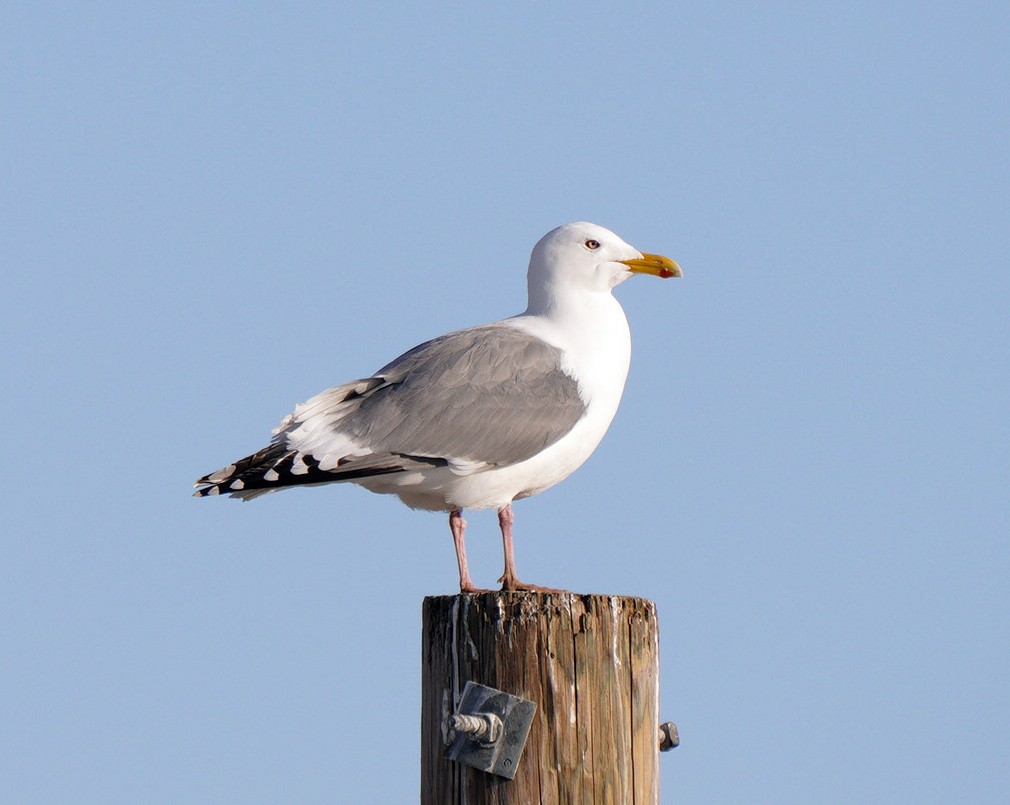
column 489, row 730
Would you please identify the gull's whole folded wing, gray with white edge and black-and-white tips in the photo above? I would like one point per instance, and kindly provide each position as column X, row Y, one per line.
column 488, row 396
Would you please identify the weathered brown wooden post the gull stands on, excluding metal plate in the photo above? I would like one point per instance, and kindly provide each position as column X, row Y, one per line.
column 591, row 665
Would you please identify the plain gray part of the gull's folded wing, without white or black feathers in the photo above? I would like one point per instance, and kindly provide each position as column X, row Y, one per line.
column 492, row 394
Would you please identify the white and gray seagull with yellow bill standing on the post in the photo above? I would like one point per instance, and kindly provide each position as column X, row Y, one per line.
column 480, row 418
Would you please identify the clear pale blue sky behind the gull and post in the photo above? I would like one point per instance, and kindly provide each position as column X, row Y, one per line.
column 213, row 212
